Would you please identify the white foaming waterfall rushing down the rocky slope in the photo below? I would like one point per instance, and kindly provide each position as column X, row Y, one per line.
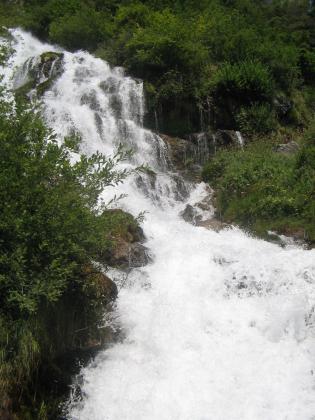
column 219, row 326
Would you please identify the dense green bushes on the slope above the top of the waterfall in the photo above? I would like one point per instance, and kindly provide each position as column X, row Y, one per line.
column 238, row 64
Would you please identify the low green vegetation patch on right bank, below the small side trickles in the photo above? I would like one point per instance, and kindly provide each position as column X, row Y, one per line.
column 265, row 190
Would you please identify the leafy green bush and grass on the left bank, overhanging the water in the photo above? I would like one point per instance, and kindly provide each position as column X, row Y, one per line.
column 52, row 229
